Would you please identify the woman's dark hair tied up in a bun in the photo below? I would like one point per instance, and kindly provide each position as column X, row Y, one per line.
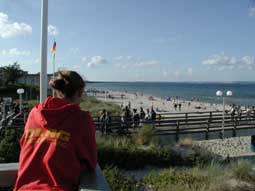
column 67, row 82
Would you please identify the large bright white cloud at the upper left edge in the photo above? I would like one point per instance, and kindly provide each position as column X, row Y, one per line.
column 8, row 29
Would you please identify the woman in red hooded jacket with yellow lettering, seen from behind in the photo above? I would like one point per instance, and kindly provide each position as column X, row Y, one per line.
column 59, row 139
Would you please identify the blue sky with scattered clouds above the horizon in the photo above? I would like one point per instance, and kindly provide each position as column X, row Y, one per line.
column 135, row 40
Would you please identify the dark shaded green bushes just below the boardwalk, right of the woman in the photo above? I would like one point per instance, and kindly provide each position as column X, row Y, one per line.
column 125, row 154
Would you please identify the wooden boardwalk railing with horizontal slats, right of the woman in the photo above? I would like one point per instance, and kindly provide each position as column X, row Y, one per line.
column 185, row 123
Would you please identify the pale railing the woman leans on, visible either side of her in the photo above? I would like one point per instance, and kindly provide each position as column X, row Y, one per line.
column 88, row 180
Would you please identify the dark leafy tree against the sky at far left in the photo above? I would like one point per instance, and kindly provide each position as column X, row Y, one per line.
column 12, row 73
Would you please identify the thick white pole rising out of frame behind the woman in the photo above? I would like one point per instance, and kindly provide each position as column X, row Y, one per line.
column 44, row 35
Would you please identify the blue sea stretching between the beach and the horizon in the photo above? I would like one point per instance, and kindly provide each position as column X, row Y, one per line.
column 243, row 92
